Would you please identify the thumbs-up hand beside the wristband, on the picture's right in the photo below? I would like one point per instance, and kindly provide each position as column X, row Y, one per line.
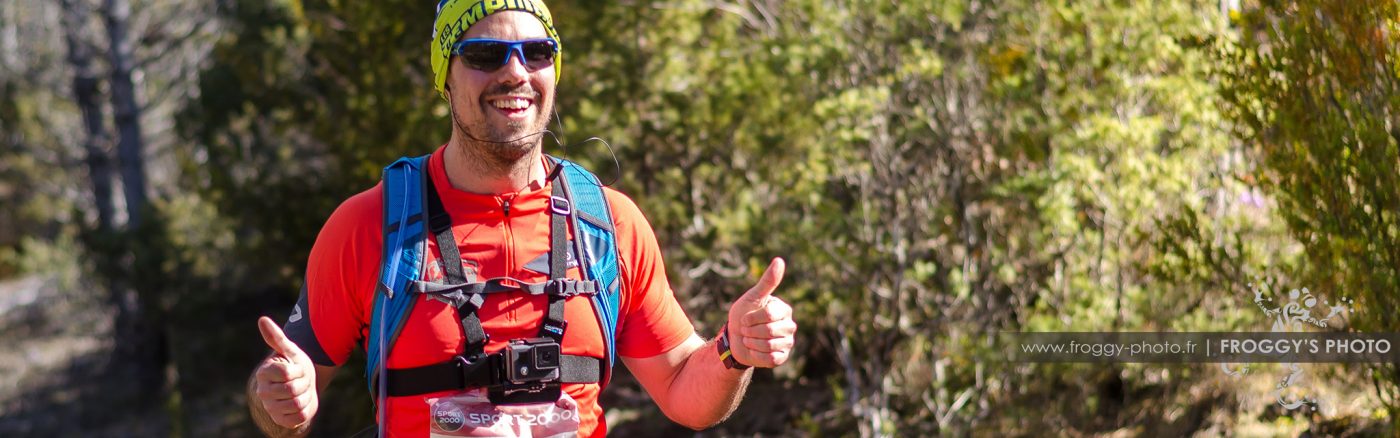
column 761, row 325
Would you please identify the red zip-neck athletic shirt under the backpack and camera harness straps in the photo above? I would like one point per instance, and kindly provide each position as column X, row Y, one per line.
column 495, row 241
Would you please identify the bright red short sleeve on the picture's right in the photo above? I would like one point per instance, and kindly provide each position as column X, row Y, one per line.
column 653, row 321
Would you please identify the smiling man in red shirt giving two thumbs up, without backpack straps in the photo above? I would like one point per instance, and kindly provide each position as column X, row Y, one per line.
column 496, row 185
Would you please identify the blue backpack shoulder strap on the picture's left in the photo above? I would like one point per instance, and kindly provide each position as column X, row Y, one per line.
column 402, row 261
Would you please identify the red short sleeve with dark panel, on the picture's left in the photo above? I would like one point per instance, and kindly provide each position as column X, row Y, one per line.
column 330, row 318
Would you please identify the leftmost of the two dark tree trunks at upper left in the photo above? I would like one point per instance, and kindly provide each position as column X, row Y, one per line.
column 87, row 96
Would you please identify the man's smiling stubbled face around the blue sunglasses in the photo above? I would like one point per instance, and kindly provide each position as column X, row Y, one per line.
column 500, row 114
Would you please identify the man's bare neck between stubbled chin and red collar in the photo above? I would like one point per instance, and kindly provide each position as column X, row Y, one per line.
column 472, row 169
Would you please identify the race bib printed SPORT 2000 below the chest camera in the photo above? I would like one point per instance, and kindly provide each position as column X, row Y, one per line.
column 471, row 414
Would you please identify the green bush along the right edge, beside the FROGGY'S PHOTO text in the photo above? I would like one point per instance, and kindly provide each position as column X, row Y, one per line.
column 1312, row 87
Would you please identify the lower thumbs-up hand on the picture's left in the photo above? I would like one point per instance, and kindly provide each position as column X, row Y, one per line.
column 286, row 380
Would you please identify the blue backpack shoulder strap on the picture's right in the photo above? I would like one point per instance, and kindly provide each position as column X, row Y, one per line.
column 597, row 244
